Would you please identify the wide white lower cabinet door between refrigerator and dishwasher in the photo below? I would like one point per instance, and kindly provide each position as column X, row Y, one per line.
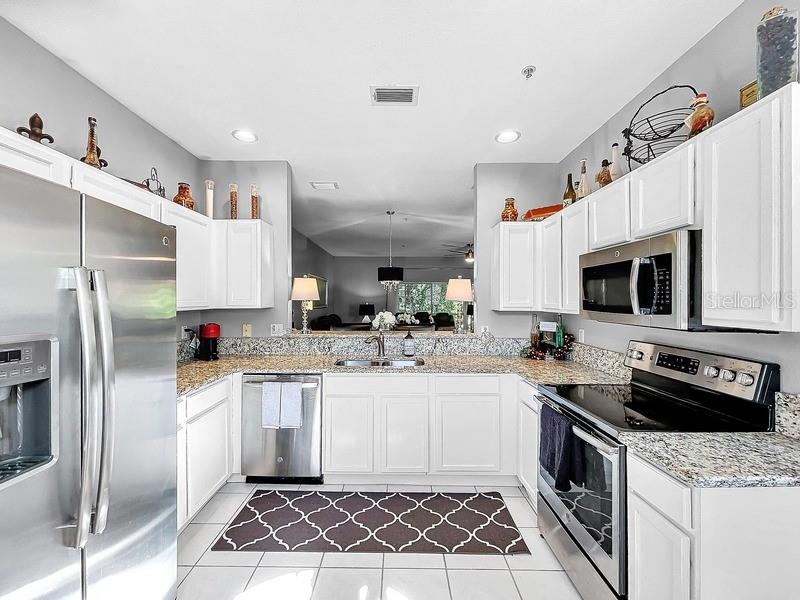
column 207, row 454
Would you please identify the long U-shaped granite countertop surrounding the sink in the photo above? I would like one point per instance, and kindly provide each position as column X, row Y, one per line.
column 194, row 374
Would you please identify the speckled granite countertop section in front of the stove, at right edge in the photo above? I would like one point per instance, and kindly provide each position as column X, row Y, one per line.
column 707, row 460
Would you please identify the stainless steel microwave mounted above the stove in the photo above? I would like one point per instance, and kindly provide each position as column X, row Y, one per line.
column 654, row 282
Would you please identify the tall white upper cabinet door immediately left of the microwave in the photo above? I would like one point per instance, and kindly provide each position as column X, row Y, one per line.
column 574, row 242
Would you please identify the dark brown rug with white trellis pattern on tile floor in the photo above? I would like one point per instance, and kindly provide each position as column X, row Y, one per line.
column 310, row 521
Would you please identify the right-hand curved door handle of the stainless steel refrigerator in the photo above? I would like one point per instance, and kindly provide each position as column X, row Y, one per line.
column 107, row 368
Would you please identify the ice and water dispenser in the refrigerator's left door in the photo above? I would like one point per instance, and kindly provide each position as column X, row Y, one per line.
column 28, row 405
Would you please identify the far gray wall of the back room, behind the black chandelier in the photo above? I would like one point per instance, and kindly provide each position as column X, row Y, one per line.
column 356, row 280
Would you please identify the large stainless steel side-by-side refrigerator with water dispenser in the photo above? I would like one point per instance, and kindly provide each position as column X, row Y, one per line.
column 87, row 397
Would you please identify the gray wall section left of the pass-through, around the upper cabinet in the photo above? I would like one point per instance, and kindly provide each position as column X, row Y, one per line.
column 274, row 184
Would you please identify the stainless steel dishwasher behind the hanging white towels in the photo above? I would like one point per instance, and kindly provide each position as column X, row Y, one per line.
column 272, row 454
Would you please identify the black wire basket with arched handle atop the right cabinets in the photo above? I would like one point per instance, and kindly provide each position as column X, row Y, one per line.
column 659, row 132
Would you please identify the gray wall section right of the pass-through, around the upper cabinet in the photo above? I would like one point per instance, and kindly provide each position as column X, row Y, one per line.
column 532, row 185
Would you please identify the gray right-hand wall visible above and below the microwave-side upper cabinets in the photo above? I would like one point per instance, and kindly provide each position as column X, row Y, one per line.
column 719, row 64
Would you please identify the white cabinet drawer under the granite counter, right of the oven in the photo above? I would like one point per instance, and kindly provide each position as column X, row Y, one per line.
column 668, row 495
